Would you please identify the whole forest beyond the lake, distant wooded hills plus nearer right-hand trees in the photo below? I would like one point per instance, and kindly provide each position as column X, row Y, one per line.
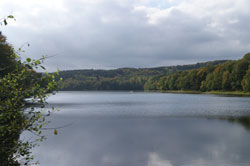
column 221, row 75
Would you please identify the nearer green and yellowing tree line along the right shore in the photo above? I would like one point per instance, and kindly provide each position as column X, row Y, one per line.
column 228, row 76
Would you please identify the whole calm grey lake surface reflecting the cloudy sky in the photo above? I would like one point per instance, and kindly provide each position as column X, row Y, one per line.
column 147, row 129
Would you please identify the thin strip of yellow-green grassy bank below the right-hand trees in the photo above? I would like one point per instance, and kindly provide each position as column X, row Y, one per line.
column 228, row 93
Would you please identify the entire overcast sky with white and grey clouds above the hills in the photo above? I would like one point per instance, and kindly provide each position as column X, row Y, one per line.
column 107, row 34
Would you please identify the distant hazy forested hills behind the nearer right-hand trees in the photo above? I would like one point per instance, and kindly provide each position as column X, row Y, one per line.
column 121, row 79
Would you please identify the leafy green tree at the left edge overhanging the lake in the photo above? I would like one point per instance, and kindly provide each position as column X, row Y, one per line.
column 18, row 81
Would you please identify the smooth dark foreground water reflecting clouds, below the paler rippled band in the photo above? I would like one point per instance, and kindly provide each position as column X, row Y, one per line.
column 145, row 141
